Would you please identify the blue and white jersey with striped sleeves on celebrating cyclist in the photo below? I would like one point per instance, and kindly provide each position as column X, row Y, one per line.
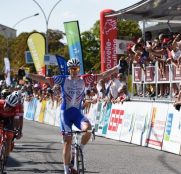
column 73, row 90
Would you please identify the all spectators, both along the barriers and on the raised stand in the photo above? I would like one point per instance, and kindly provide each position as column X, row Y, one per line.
column 164, row 50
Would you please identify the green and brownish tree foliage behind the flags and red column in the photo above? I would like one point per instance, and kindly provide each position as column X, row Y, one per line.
column 15, row 48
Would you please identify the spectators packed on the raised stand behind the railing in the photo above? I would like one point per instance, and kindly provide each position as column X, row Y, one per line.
column 163, row 51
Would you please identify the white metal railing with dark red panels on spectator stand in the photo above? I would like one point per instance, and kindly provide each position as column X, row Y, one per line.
column 157, row 79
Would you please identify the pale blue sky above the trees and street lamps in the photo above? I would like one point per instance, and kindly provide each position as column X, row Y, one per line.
column 85, row 11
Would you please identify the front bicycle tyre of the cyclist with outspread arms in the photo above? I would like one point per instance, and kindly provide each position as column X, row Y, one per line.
column 80, row 160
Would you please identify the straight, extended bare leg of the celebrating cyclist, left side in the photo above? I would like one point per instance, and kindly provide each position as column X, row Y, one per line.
column 67, row 149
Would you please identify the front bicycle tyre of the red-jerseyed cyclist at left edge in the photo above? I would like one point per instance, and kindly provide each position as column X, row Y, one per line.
column 3, row 157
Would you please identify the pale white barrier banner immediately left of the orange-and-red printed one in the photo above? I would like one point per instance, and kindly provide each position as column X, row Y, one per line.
column 141, row 122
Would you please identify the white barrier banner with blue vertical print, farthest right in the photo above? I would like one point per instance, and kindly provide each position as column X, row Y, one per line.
column 172, row 135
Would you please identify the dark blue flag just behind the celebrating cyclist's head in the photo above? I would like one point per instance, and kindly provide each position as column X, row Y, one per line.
column 62, row 64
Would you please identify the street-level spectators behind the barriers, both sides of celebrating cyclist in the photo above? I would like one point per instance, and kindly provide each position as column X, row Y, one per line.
column 113, row 90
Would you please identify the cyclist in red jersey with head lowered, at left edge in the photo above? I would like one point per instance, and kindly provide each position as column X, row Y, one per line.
column 9, row 110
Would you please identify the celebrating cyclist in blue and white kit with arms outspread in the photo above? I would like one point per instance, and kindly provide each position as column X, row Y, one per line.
column 72, row 90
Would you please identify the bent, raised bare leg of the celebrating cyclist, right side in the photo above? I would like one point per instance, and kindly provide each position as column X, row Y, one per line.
column 87, row 135
